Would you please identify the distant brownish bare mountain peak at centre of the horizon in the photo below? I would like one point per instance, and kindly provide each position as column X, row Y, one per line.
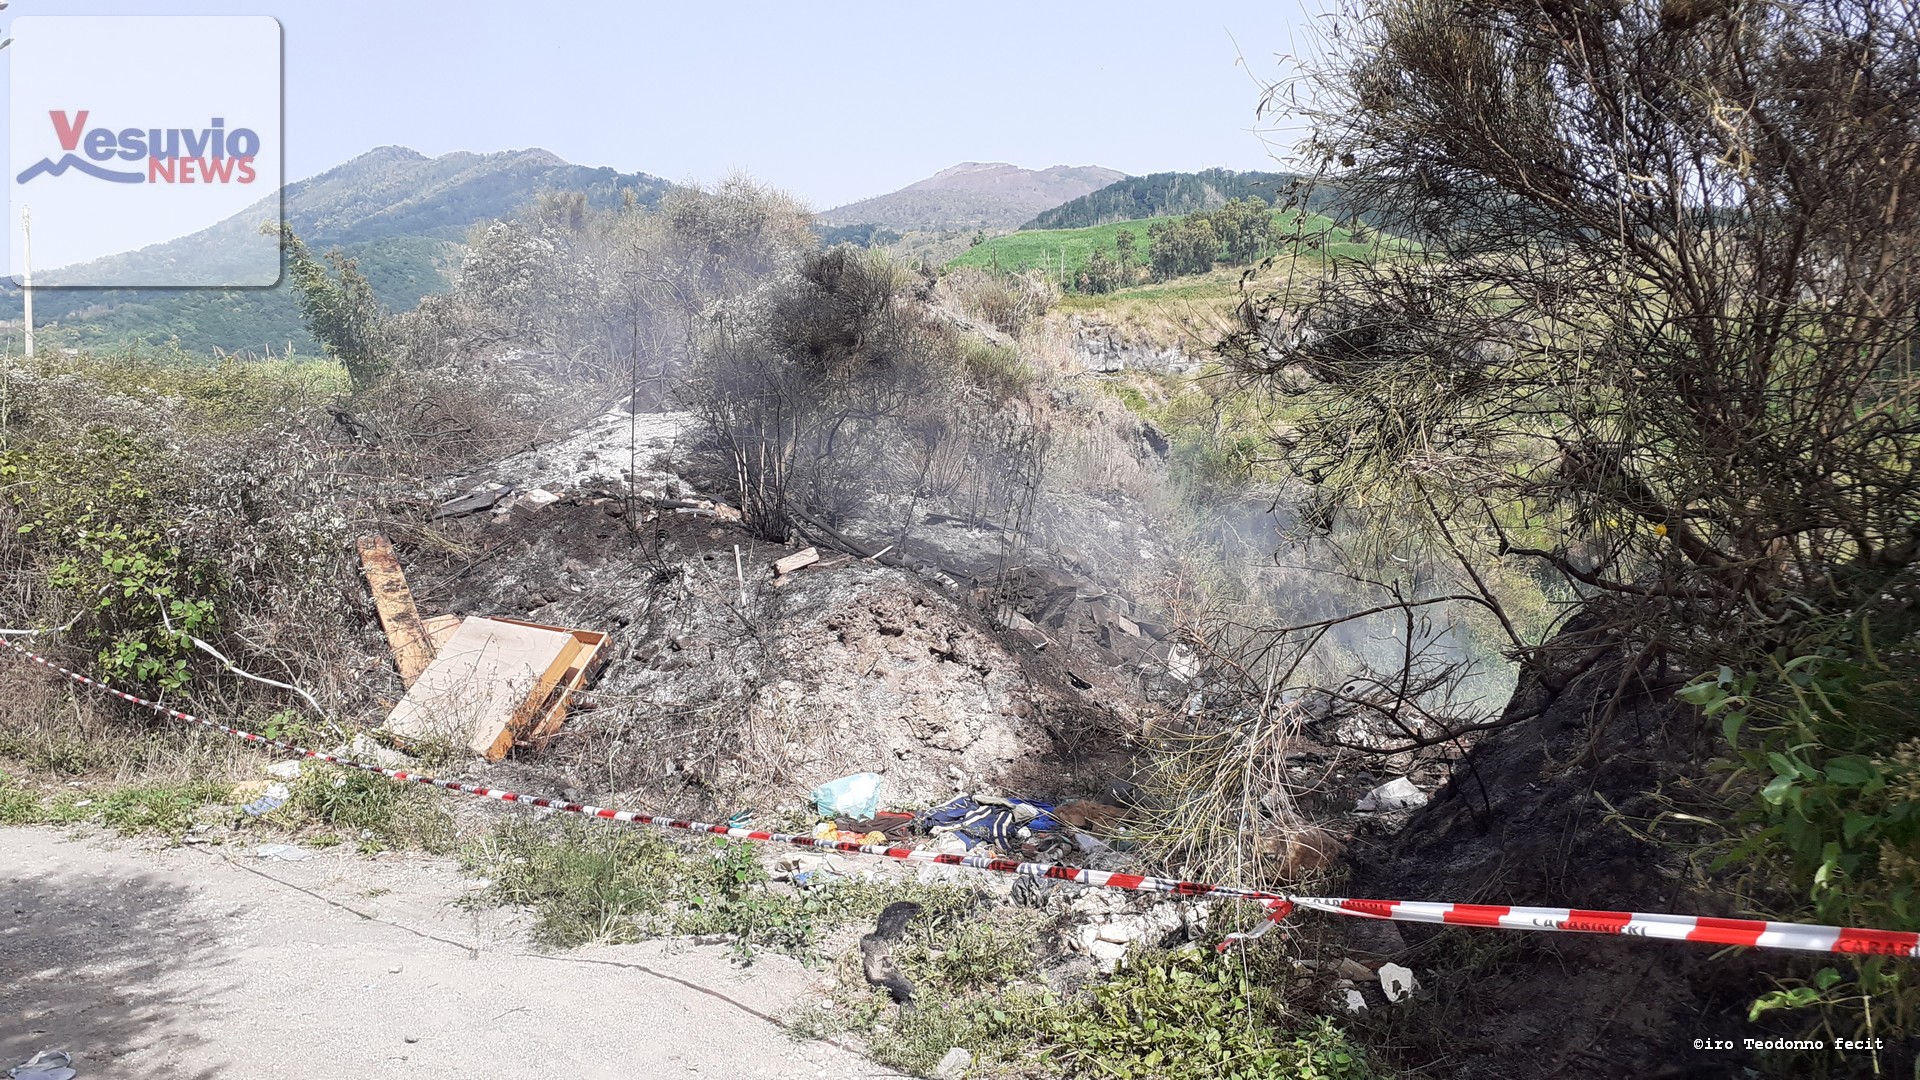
column 974, row 195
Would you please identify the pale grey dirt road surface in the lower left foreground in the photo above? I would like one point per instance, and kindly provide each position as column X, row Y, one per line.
column 204, row 962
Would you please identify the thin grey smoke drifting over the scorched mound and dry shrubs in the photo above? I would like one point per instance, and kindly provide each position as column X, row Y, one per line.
column 844, row 391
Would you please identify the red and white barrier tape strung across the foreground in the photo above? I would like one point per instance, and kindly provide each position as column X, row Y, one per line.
column 1623, row 923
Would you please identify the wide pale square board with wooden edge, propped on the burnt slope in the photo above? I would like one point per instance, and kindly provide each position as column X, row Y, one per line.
column 491, row 683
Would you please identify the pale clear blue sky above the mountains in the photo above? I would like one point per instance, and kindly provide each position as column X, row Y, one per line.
column 827, row 101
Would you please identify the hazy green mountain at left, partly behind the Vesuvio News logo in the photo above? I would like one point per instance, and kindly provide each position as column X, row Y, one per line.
column 402, row 214
